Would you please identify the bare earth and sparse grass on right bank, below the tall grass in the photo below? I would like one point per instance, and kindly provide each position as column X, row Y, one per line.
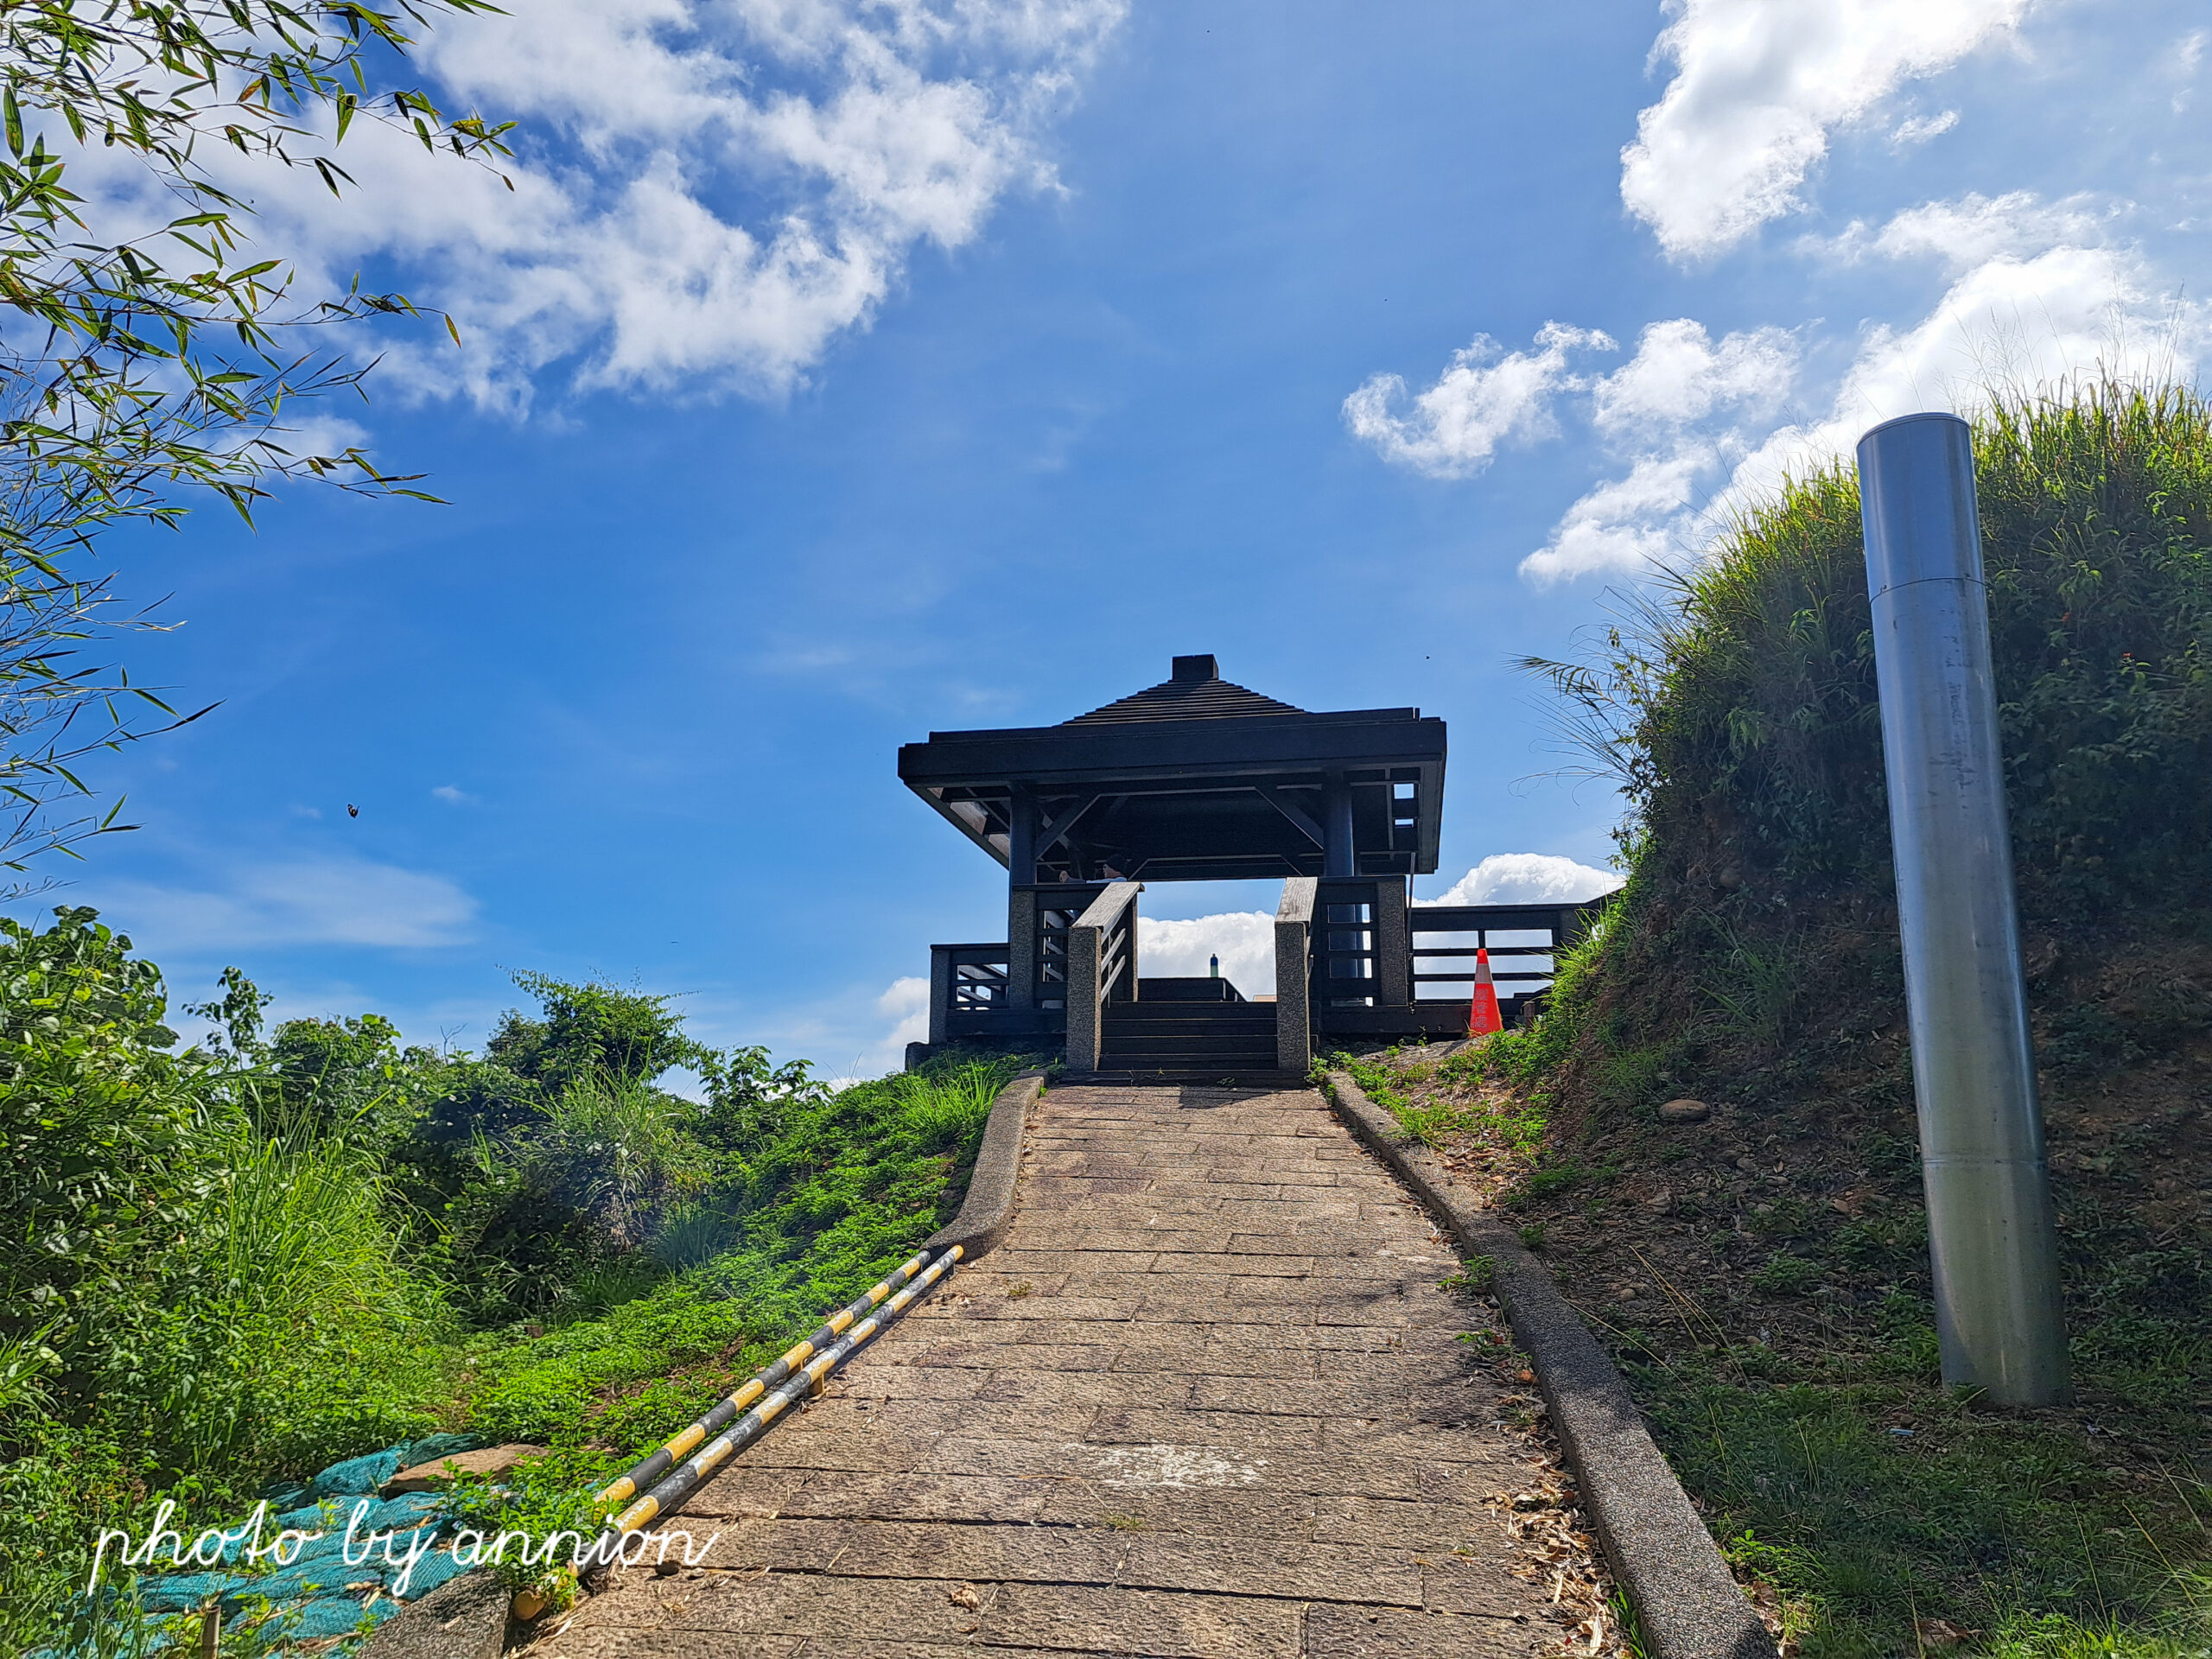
column 1762, row 1275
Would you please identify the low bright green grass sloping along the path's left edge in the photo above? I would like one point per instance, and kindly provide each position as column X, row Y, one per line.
column 839, row 1196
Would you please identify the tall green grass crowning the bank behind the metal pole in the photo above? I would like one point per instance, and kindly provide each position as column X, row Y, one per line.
column 1740, row 709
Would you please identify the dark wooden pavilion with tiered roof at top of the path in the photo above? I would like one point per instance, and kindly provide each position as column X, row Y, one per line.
column 1202, row 780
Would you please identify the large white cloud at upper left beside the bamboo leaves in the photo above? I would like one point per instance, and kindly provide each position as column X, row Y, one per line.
column 705, row 196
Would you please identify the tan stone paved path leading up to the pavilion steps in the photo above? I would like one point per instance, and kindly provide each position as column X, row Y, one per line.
column 1202, row 1401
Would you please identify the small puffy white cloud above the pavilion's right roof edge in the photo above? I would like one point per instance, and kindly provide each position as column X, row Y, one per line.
column 1483, row 401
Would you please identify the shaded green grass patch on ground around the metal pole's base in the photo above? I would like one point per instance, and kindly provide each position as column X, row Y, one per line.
column 1994, row 1525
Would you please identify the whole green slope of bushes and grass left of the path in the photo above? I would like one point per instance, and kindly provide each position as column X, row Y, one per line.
column 262, row 1253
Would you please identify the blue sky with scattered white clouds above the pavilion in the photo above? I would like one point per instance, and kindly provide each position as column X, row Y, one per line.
column 844, row 373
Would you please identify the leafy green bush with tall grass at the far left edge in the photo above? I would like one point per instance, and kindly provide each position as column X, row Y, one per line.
column 191, row 1293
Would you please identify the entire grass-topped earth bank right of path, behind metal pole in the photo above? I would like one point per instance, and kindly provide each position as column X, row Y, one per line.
column 1764, row 1275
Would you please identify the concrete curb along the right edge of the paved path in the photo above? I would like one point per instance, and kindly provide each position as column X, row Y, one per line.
column 1689, row 1605
